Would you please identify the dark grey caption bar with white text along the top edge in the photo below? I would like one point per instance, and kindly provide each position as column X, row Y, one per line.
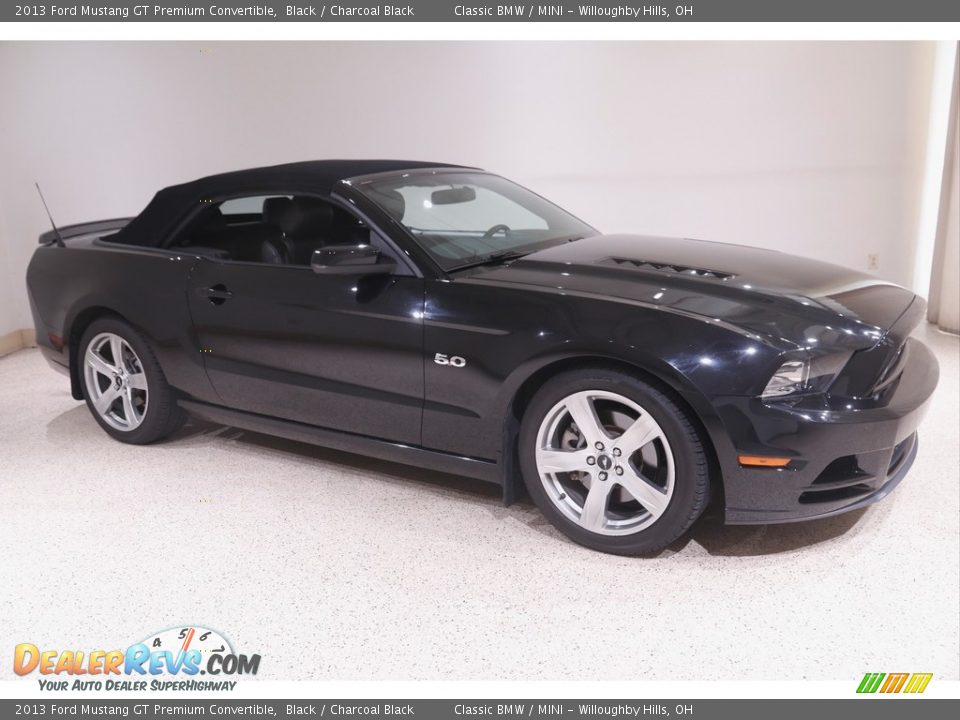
column 453, row 11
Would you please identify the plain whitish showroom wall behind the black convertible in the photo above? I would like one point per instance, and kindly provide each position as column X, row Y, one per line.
column 813, row 148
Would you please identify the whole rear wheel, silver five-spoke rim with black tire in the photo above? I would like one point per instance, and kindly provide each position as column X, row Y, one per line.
column 123, row 384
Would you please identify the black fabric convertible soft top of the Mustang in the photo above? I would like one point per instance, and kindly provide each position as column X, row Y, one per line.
column 171, row 205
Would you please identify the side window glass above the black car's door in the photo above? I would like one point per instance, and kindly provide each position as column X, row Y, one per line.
column 274, row 229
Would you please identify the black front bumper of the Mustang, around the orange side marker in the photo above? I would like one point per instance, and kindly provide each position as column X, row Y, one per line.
column 845, row 455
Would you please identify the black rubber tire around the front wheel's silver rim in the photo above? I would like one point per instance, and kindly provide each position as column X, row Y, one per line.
column 690, row 483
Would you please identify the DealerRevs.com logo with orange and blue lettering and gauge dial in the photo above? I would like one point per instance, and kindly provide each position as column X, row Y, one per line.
column 180, row 658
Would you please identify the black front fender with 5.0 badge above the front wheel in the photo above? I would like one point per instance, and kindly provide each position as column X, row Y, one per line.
column 514, row 339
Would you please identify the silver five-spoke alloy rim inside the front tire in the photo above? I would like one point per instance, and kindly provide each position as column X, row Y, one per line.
column 605, row 463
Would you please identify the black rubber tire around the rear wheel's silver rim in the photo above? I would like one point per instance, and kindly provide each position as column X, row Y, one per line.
column 162, row 416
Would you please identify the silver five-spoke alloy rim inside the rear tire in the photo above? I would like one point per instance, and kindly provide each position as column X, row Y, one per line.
column 116, row 382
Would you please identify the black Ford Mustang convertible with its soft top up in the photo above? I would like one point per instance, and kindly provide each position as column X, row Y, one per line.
column 445, row 317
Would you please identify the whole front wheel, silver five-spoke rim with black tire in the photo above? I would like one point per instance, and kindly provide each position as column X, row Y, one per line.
column 613, row 462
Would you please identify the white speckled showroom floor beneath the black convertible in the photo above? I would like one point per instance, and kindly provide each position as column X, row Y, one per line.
column 332, row 566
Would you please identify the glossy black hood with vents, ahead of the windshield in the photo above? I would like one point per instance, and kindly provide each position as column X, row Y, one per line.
column 787, row 300
